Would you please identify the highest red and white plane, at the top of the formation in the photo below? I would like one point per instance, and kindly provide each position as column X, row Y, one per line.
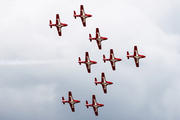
column 83, row 15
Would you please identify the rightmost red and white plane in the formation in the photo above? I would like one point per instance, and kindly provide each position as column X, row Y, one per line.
column 136, row 56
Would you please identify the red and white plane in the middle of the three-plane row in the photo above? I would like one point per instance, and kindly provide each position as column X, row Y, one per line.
column 112, row 59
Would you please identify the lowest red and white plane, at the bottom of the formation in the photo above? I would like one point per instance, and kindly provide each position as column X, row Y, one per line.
column 94, row 104
